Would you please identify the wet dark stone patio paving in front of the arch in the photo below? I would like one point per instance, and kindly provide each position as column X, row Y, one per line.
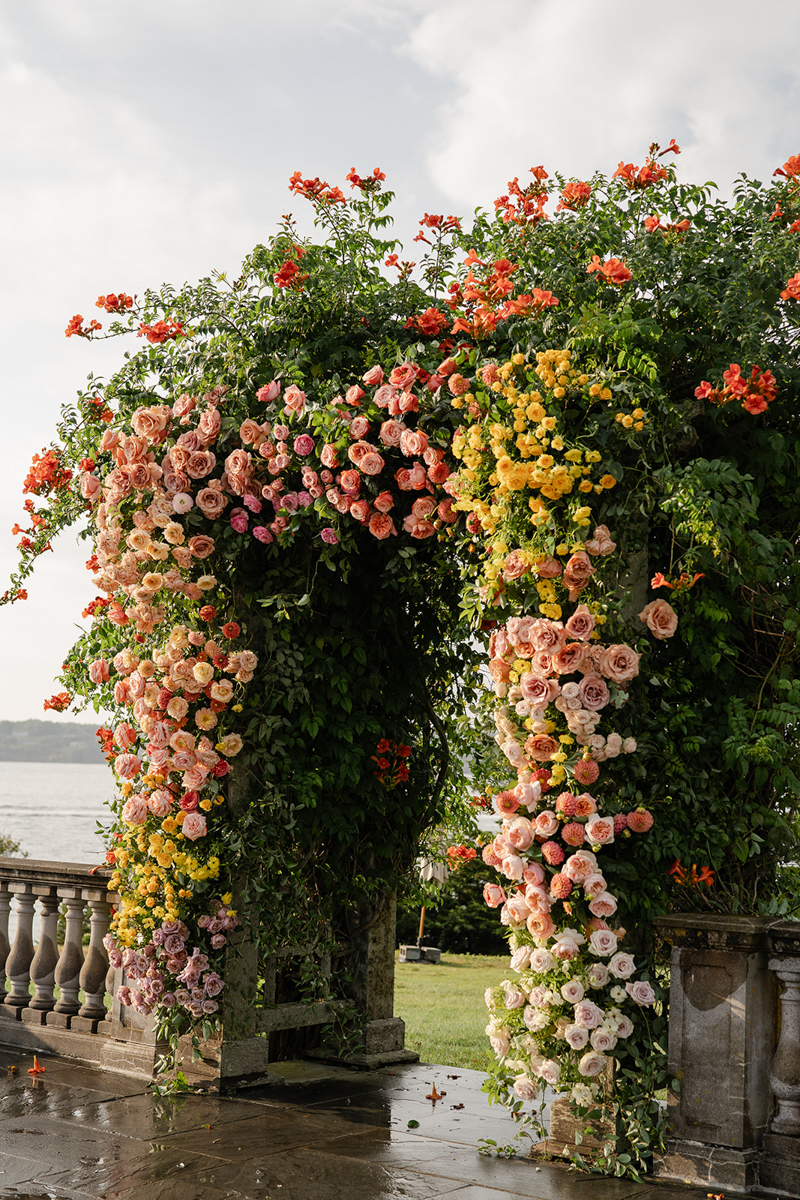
column 327, row 1133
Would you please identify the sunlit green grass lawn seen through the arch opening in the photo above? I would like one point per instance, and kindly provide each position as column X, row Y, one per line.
column 443, row 1007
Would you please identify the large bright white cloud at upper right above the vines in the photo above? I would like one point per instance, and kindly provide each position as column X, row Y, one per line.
column 580, row 85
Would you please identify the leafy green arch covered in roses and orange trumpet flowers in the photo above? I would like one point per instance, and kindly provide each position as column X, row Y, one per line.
column 308, row 490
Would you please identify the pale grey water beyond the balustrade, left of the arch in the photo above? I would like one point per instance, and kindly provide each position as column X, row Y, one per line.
column 52, row 809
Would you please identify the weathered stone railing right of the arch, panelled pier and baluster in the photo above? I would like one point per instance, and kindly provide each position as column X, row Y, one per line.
column 735, row 1123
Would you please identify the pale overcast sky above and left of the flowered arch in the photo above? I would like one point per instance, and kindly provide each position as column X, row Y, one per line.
column 154, row 142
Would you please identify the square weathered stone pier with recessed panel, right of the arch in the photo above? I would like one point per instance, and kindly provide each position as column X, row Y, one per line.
column 723, row 1012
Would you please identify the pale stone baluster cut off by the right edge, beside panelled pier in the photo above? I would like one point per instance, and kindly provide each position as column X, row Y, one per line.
column 780, row 1167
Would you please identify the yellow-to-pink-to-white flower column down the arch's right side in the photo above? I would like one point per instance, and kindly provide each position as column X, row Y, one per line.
column 532, row 483
